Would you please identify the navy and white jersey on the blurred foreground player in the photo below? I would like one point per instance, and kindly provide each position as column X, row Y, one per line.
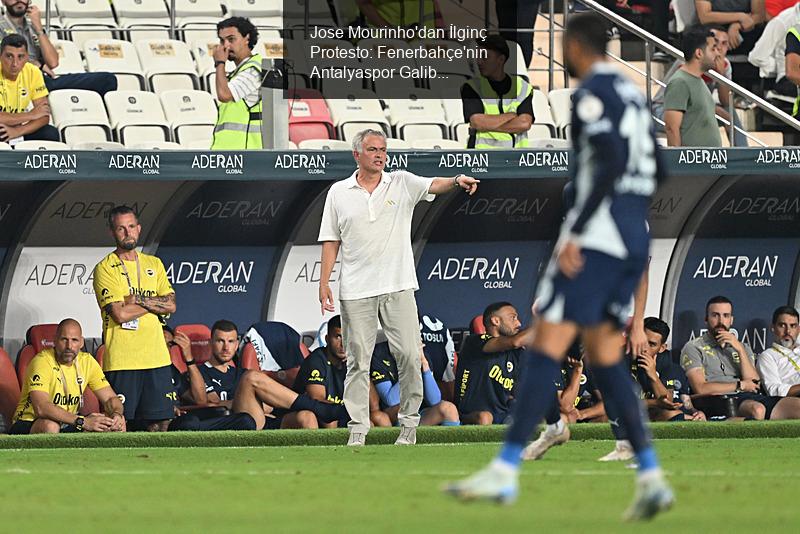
column 617, row 166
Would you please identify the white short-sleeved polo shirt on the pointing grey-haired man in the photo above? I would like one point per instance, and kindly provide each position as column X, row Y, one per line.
column 375, row 233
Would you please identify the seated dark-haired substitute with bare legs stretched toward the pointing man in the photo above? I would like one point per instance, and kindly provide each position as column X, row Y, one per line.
column 254, row 392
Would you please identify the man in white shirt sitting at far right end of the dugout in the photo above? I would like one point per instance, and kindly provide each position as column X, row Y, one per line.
column 779, row 365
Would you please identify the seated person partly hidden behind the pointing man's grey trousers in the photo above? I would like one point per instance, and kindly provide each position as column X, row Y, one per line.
column 434, row 410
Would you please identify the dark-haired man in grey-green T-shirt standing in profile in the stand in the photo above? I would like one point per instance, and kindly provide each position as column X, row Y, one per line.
column 688, row 107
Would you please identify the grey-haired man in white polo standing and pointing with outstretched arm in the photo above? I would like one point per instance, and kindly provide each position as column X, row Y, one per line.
column 368, row 216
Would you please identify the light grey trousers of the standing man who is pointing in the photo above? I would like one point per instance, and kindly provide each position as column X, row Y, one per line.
column 397, row 314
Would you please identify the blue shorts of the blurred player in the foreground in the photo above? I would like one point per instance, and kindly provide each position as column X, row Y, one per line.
column 601, row 292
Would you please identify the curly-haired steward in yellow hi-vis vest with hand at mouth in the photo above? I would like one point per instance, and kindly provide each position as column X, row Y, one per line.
column 239, row 93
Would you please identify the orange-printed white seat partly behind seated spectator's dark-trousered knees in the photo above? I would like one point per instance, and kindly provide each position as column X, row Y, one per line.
column 118, row 57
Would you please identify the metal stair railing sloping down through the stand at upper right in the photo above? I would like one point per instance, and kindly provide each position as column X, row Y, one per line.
column 651, row 40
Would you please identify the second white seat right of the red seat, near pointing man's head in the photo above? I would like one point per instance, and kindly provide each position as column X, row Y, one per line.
column 420, row 116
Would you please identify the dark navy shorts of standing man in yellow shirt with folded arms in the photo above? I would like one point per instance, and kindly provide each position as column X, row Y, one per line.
column 146, row 394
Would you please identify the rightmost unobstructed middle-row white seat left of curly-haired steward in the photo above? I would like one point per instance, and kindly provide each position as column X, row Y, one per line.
column 167, row 64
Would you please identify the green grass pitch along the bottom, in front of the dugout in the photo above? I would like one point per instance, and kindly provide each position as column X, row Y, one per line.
column 722, row 485
